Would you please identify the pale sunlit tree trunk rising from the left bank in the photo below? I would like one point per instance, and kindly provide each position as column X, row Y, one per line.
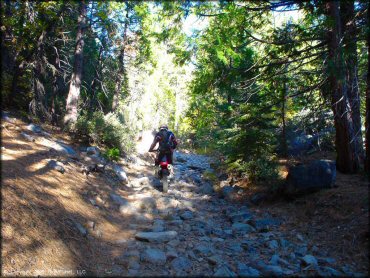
column 75, row 83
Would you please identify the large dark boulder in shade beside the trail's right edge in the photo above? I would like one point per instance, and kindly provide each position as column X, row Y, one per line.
column 317, row 175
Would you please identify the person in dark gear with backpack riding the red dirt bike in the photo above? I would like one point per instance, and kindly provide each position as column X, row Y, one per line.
column 167, row 144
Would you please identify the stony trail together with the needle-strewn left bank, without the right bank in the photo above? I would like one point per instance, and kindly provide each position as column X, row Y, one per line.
column 81, row 215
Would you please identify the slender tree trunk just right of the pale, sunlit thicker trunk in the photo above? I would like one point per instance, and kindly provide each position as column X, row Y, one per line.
column 121, row 61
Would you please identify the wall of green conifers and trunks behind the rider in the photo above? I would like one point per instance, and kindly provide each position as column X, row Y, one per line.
column 243, row 86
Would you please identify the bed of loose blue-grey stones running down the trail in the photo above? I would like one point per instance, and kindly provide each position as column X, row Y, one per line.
column 194, row 232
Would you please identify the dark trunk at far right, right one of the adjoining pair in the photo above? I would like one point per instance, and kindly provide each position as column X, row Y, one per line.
column 347, row 13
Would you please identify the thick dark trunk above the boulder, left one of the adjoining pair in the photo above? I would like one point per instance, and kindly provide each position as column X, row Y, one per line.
column 347, row 157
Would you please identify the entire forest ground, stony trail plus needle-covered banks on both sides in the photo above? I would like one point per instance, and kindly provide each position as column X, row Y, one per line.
column 73, row 224
